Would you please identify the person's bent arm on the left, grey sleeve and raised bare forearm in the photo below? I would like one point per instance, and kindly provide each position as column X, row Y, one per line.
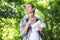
column 24, row 27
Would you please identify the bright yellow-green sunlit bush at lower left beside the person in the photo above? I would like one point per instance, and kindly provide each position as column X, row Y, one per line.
column 10, row 29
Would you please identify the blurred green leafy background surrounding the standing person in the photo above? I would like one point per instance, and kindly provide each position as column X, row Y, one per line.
column 11, row 12
